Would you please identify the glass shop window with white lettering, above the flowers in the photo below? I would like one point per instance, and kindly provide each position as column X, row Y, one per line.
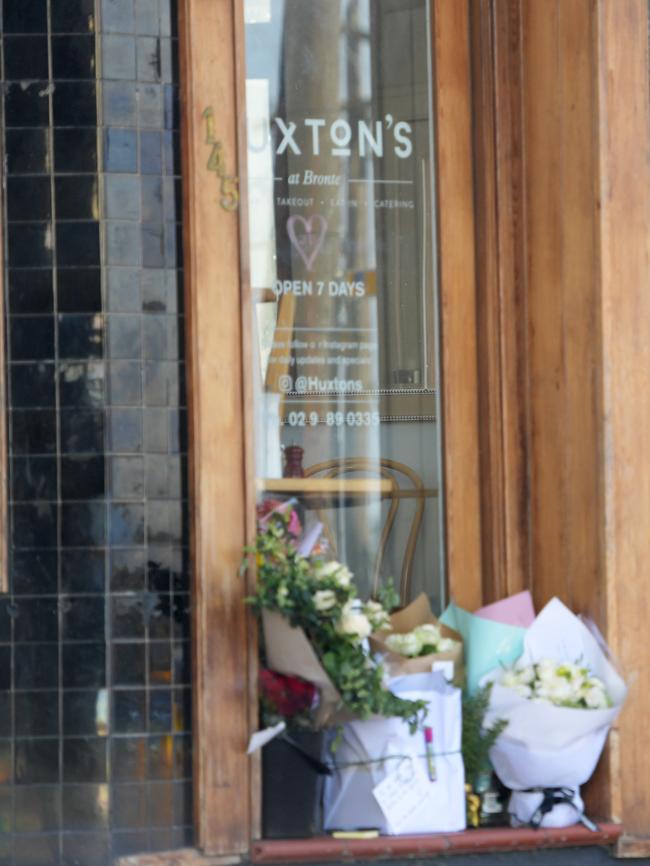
column 343, row 272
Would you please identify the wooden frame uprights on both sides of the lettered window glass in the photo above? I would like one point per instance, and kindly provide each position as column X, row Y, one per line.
column 218, row 309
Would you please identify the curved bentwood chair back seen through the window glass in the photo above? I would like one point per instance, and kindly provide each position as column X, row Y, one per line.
column 398, row 474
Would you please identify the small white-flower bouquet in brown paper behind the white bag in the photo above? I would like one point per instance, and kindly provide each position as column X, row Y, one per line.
column 416, row 642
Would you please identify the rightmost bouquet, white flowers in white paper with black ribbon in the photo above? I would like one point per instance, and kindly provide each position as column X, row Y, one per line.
column 559, row 713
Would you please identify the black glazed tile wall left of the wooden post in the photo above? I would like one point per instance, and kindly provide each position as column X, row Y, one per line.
column 95, row 752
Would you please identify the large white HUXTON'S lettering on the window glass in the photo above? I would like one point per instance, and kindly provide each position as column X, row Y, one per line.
column 341, row 137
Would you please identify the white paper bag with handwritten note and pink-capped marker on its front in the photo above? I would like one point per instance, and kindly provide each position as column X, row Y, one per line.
column 372, row 751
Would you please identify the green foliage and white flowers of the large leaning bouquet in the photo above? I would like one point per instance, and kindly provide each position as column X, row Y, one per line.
column 320, row 598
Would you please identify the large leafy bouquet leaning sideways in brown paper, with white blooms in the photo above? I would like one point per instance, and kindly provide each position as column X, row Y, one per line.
column 315, row 627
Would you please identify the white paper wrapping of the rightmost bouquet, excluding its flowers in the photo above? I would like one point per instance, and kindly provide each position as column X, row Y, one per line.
column 545, row 745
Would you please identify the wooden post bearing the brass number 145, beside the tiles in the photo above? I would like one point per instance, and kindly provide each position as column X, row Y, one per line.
column 218, row 409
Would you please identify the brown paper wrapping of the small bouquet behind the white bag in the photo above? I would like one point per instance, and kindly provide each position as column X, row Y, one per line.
column 415, row 614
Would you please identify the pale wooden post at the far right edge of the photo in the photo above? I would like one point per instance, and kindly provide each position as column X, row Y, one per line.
column 624, row 134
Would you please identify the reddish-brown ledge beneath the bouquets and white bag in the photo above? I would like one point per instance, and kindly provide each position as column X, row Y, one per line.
column 497, row 839
